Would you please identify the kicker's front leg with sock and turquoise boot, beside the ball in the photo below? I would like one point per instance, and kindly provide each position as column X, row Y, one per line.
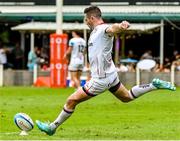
column 67, row 111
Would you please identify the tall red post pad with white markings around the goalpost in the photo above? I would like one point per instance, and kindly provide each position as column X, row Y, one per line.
column 58, row 46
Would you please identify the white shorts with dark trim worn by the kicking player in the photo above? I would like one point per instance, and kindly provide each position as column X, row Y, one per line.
column 97, row 86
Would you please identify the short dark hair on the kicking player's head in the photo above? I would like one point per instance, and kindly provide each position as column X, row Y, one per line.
column 93, row 11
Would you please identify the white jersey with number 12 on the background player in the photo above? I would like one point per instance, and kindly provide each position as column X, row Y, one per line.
column 78, row 45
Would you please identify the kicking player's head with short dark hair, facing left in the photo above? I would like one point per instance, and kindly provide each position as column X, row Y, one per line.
column 92, row 14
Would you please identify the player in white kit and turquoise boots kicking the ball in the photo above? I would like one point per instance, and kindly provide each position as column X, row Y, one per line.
column 103, row 72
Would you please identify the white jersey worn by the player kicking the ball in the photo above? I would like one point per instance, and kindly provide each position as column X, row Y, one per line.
column 100, row 52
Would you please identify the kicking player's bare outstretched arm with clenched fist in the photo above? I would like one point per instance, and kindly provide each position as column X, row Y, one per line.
column 118, row 27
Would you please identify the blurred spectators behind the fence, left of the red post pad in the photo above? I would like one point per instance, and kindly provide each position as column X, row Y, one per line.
column 13, row 58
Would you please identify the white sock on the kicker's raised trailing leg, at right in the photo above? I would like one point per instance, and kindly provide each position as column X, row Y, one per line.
column 139, row 90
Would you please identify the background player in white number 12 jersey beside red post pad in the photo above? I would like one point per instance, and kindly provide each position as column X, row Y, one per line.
column 75, row 56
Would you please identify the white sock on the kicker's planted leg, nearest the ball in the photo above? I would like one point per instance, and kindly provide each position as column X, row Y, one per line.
column 64, row 115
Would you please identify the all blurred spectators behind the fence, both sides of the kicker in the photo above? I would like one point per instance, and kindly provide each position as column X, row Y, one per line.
column 13, row 58
